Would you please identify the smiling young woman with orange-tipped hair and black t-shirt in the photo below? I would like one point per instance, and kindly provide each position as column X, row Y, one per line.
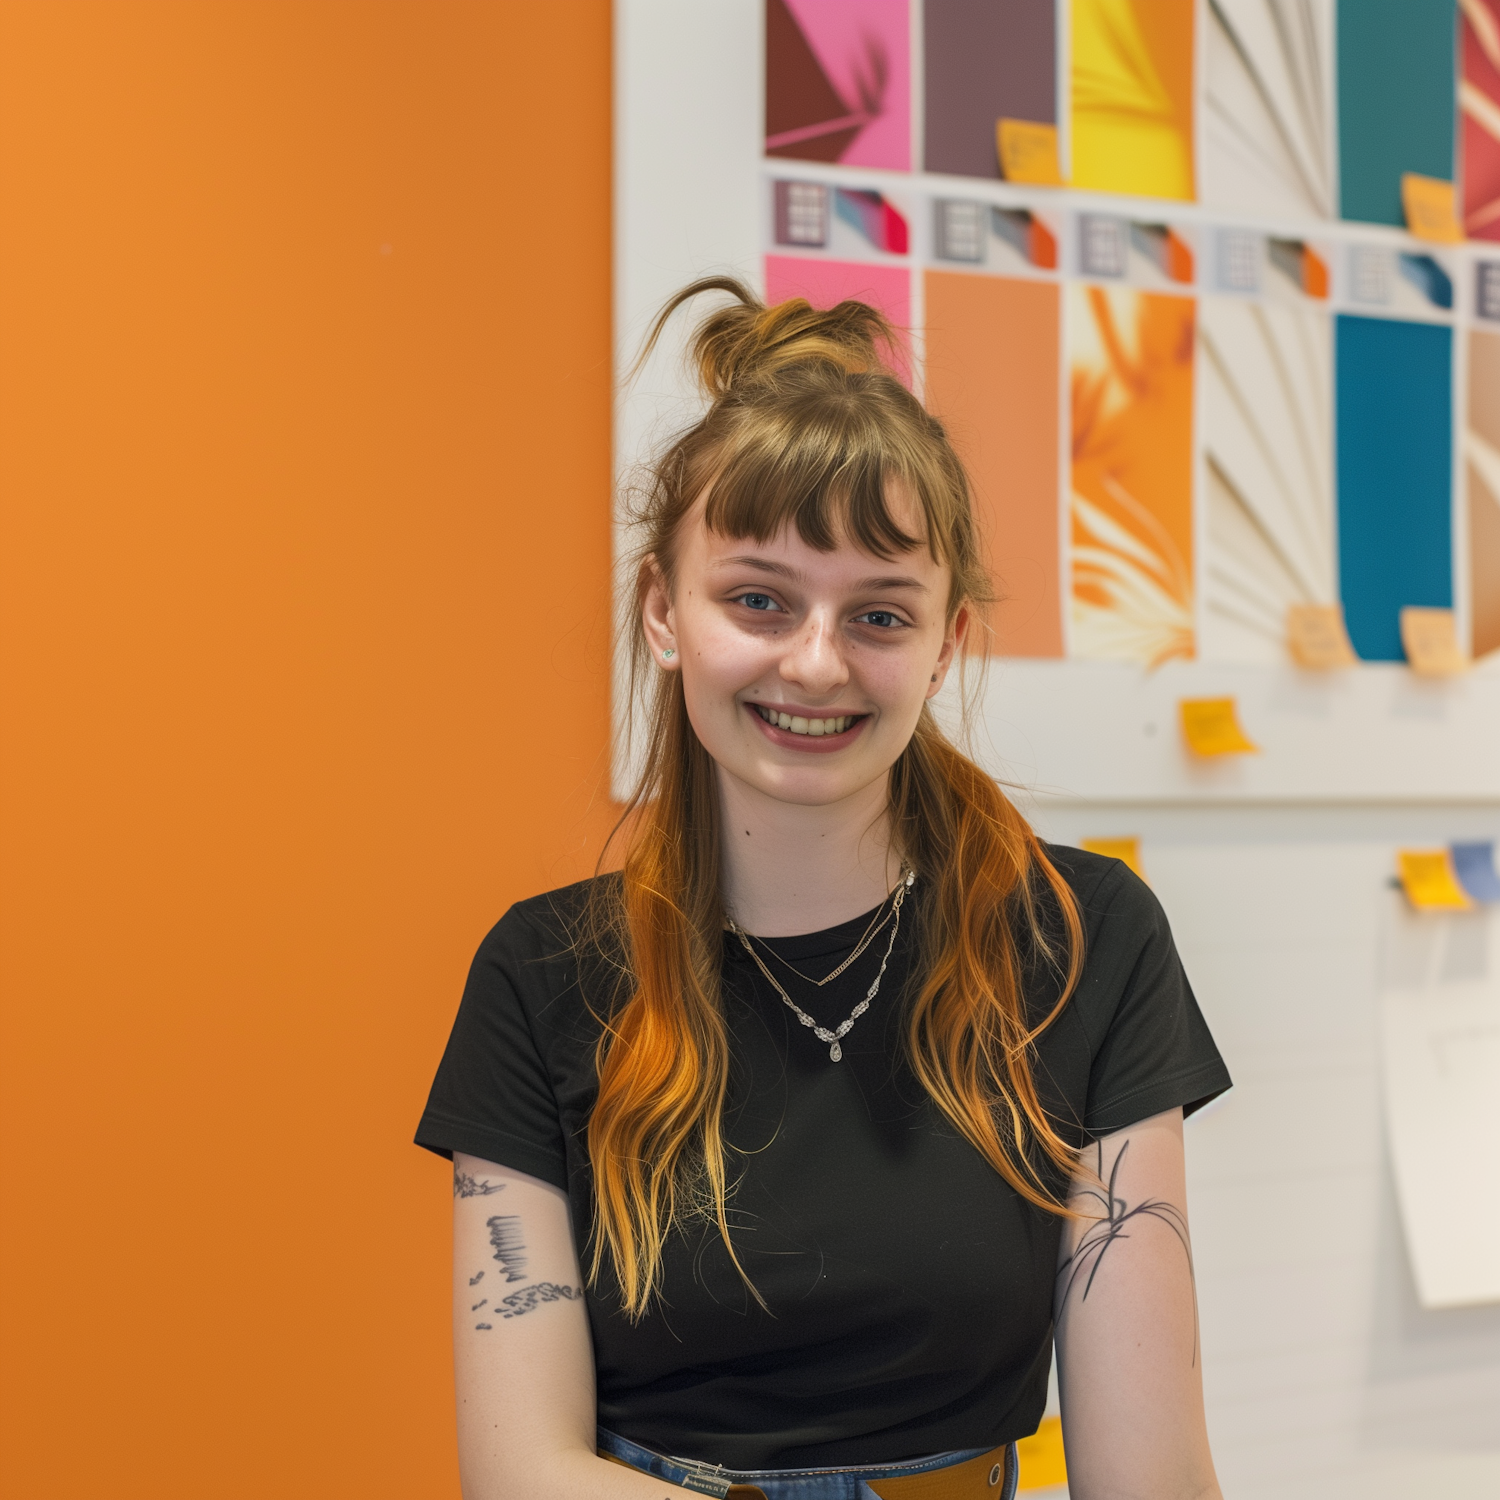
column 784, row 1157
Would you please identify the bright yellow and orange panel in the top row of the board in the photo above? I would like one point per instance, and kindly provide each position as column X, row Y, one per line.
column 1133, row 97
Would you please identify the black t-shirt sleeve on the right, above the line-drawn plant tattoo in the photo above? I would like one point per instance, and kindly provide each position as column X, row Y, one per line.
column 1153, row 1046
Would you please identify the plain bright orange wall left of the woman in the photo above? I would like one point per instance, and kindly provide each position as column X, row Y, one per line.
column 305, row 460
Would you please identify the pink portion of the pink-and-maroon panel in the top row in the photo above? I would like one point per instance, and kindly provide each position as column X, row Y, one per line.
column 857, row 43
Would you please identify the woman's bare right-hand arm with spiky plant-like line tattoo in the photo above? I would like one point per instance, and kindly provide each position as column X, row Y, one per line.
column 1127, row 1325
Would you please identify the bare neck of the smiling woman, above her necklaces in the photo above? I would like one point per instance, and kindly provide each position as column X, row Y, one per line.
column 791, row 869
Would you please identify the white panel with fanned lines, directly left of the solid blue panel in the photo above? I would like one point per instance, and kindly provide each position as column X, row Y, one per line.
column 1267, row 433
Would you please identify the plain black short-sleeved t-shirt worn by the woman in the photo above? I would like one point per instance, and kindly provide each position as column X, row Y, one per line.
column 910, row 1286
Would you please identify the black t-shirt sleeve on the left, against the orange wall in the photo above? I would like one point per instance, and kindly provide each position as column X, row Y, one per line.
column 493, row 1096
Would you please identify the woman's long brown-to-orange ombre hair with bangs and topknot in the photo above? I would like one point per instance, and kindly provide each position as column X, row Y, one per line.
column 808, row 427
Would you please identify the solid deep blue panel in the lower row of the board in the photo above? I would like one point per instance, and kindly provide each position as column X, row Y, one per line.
column 1394, row 443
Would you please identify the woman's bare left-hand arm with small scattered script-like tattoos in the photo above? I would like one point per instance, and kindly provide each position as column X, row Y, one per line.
column 521, row 1348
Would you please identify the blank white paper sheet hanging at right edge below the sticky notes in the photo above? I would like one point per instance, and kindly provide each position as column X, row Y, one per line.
column 1441, row 1042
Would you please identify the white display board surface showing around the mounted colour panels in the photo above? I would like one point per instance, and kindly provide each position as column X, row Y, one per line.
column 692, row 197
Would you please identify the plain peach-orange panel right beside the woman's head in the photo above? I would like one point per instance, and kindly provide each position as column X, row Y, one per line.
column 992, row 380
